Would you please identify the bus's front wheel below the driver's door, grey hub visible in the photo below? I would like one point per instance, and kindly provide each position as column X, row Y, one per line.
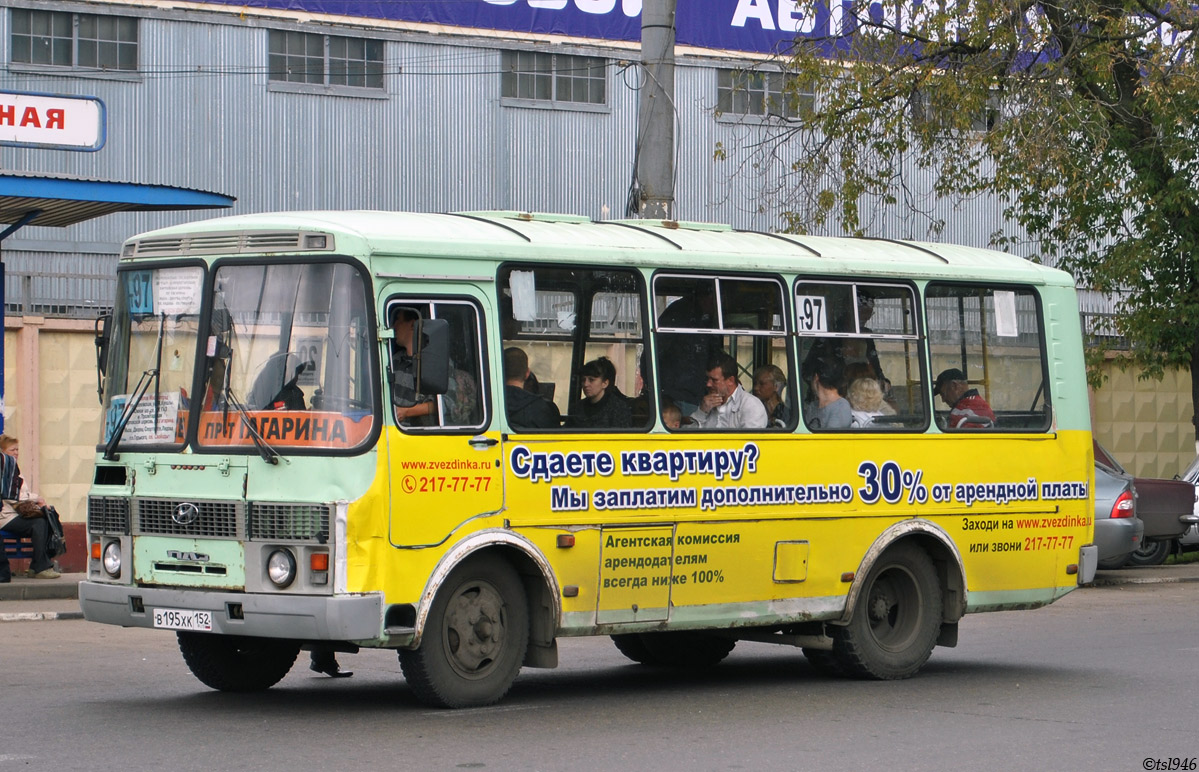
column 475, row 637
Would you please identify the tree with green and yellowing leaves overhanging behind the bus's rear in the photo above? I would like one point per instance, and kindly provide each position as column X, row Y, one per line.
column 1081, row 118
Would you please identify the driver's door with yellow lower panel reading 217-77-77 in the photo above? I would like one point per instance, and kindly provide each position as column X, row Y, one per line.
column 444, row 459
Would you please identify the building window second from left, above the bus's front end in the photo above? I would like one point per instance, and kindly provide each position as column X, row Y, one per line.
column 326, row 61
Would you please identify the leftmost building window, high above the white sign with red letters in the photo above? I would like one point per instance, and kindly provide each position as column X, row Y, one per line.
column 87, row 41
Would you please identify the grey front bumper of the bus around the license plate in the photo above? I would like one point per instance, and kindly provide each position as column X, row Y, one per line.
column 299, row 618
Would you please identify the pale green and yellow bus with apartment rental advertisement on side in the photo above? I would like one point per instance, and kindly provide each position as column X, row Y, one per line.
column 316, row 439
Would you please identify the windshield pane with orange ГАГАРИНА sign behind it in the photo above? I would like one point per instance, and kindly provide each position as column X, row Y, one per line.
column 288, row 357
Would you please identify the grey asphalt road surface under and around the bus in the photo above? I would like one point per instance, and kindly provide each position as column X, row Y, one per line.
column 1102, row 680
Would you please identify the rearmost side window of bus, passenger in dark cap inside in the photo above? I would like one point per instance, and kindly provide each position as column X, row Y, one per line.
column 987, row 357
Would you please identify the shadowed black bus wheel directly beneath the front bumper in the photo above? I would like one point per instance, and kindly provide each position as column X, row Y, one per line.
column 234, row 664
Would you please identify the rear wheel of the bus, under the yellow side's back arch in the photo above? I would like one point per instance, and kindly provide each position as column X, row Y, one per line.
column 896, row 620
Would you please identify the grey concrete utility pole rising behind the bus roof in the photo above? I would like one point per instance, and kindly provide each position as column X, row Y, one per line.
column 656, row 112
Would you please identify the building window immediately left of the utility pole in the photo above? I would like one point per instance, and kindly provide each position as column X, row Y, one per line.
column 555, row 77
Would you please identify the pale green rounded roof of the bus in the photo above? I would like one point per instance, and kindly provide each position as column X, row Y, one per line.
column 503, row 236
